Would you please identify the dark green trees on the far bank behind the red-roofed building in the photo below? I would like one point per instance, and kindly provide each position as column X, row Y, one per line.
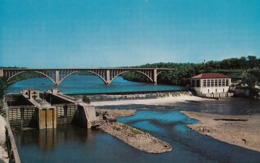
column 246, row 69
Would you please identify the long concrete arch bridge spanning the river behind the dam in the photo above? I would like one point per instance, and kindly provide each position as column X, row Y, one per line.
column 107, row 75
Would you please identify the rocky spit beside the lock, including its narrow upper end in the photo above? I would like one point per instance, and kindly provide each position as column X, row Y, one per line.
column 136, row 138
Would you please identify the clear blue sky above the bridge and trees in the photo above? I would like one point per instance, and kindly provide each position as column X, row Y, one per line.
column 116, row 33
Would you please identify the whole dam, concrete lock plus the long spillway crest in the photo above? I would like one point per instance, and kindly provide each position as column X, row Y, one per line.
column 47, row 110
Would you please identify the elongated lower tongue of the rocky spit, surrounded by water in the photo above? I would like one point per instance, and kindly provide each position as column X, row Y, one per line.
column 136, row 138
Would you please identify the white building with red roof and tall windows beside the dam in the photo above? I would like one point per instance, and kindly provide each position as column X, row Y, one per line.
column 211, row 84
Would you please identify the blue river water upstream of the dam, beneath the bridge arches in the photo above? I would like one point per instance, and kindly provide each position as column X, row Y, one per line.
column 83, row 84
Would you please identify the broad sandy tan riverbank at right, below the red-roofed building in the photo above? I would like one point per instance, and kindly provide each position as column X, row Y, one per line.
column 240, row 130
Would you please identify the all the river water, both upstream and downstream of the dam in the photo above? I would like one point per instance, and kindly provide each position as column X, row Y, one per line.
column 70, row 143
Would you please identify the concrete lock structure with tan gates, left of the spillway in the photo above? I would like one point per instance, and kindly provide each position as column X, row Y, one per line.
column 46, row 110
